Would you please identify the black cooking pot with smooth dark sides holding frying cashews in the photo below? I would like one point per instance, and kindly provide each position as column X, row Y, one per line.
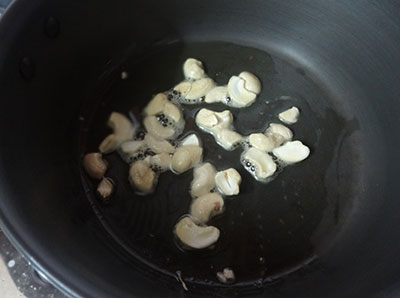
column 324, row 227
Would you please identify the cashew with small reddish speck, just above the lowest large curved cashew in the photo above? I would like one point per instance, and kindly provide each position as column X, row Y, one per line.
column 206, row 206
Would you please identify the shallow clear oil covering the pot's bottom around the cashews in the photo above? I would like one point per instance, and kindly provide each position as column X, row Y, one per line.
column 267, row 230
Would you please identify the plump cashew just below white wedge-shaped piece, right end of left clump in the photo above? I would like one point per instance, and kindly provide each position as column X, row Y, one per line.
column 185, row 157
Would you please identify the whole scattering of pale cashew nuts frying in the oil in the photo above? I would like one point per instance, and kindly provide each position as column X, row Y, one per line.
column 158, row 150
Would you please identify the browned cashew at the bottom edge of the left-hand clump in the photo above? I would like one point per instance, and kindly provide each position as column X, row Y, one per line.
column 142, row 177
